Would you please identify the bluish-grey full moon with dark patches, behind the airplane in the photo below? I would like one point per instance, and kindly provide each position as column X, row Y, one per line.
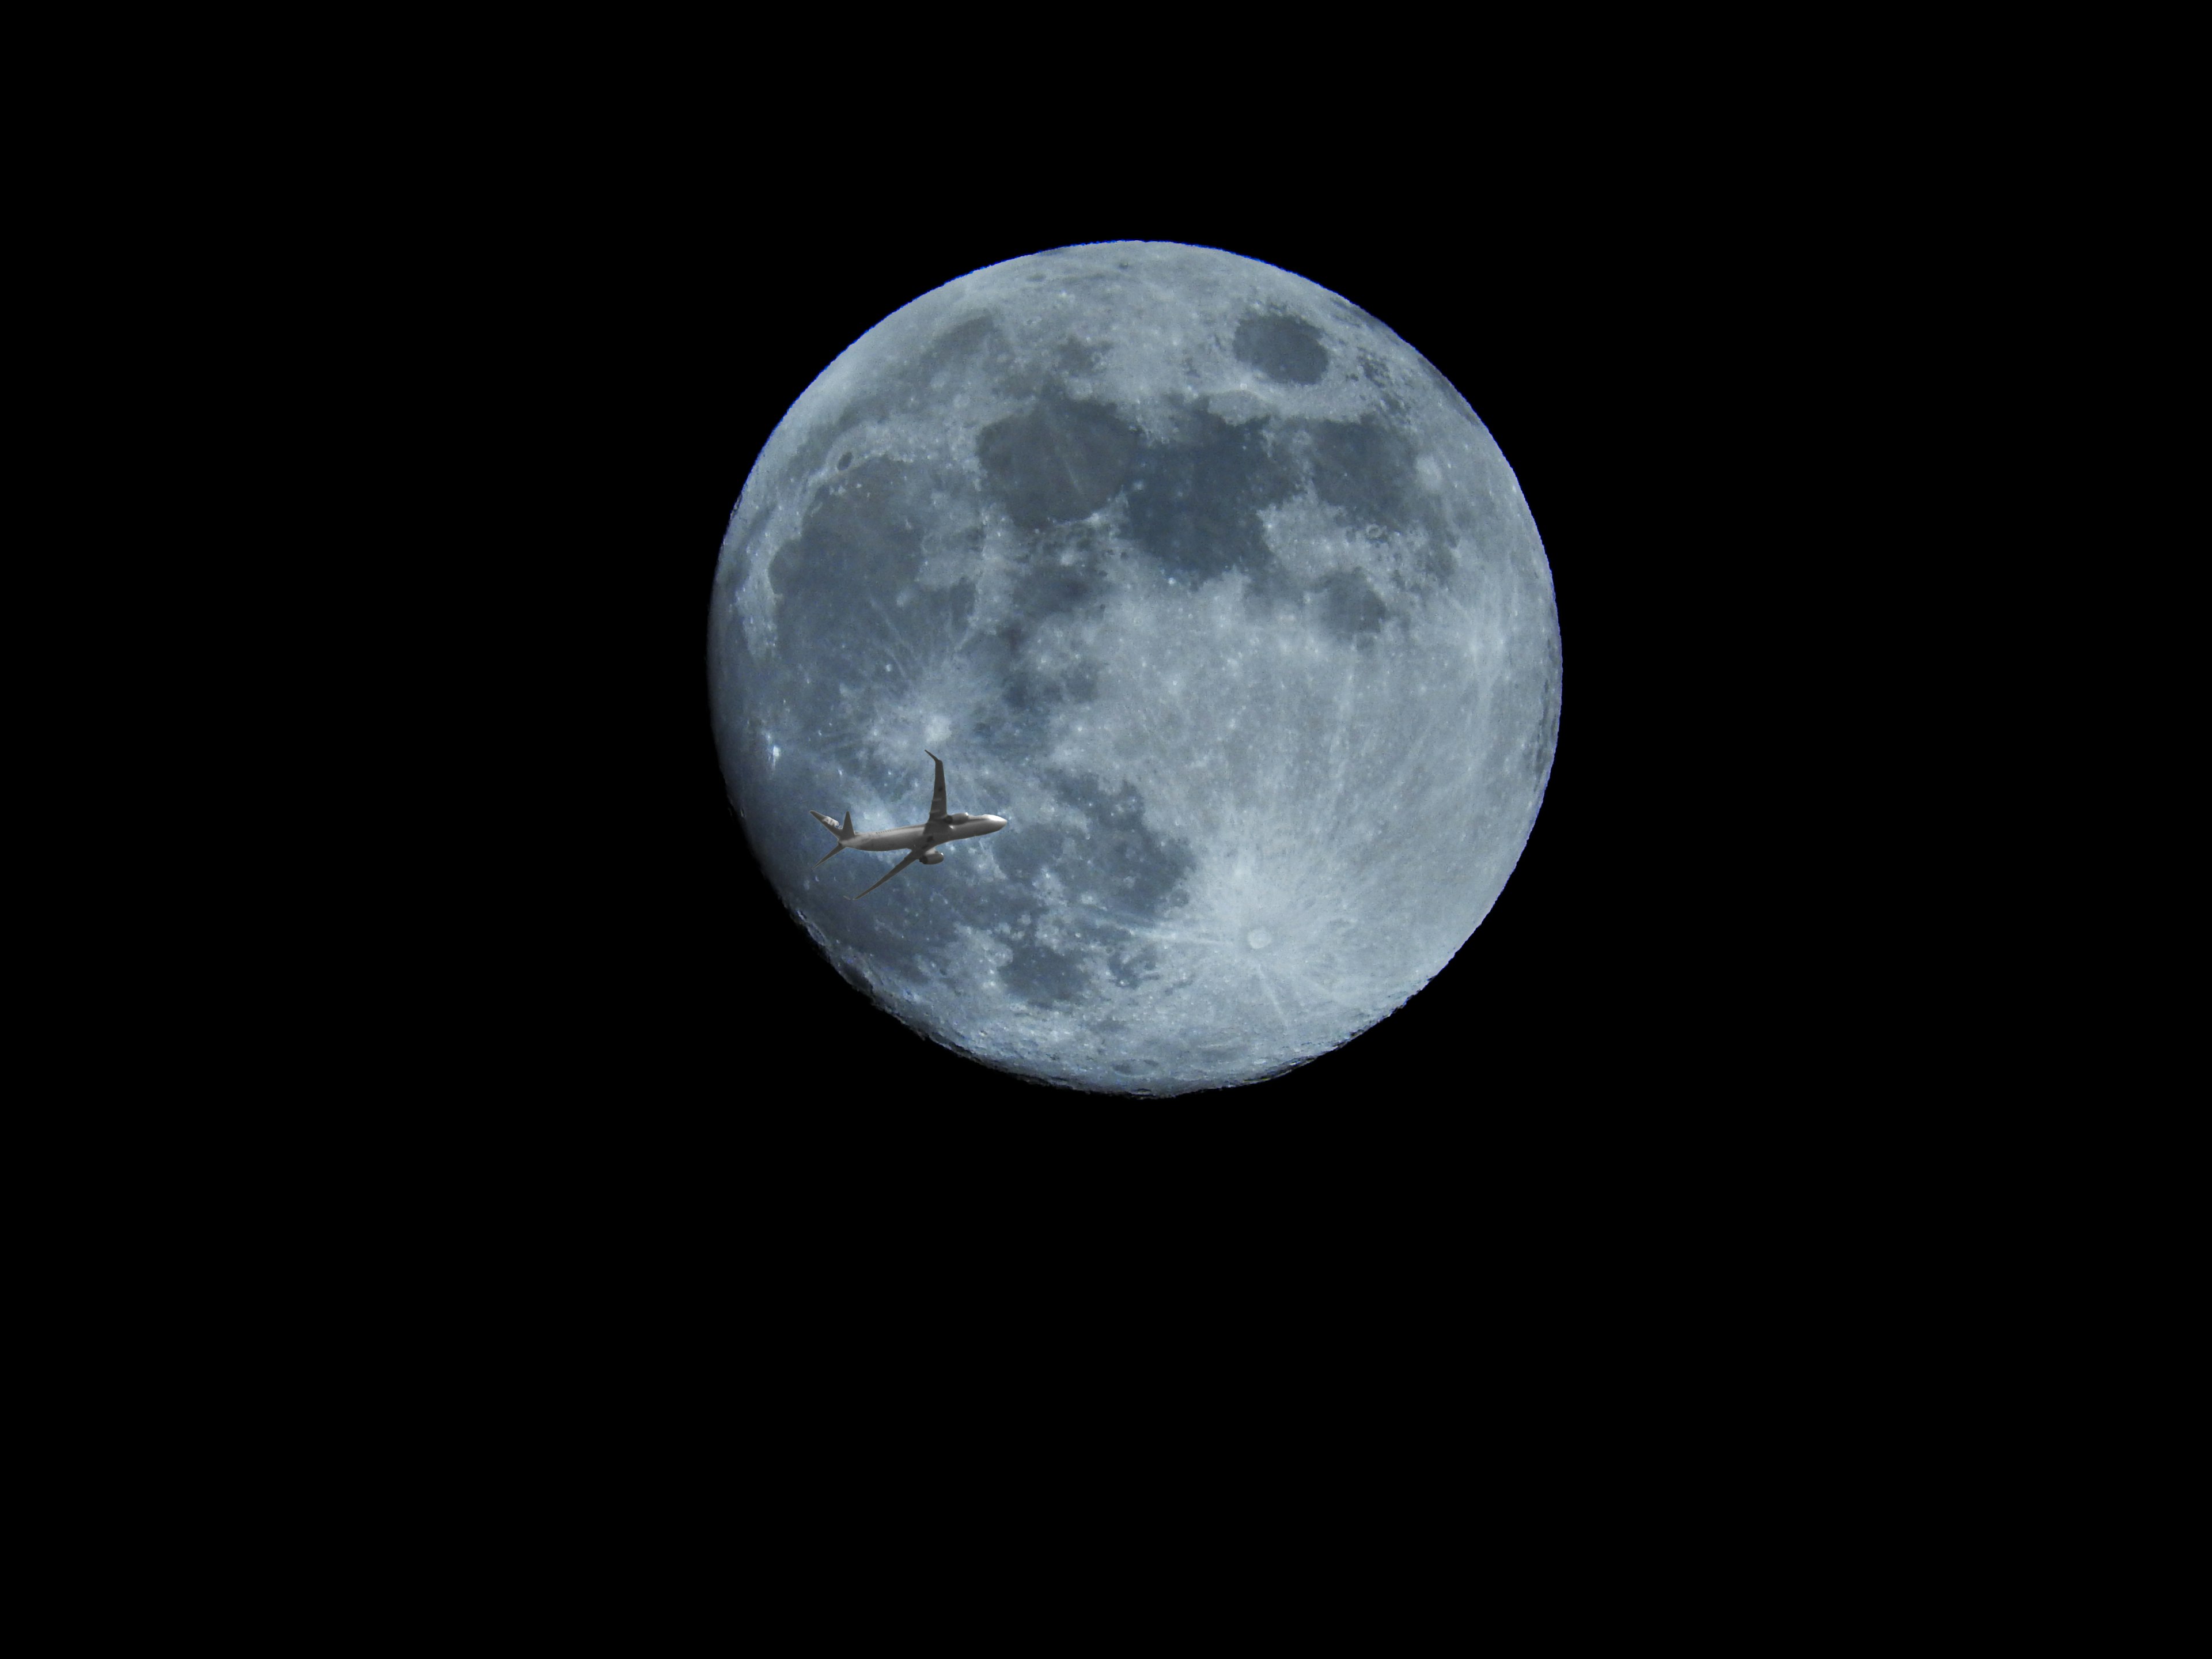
column 1213, row 589
